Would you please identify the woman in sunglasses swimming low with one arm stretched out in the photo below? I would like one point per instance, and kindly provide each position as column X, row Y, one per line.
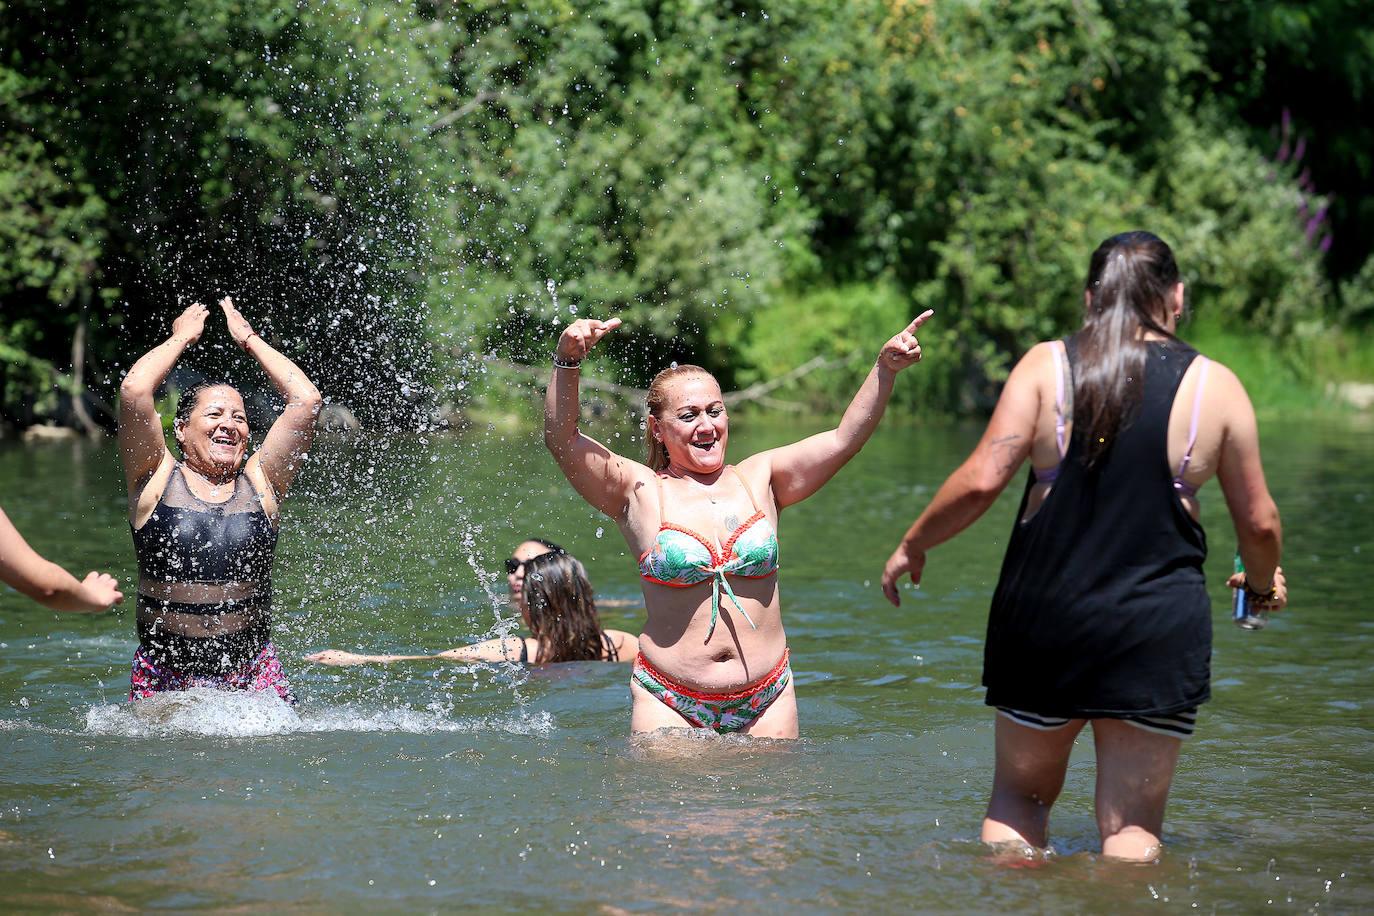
column 549, row 587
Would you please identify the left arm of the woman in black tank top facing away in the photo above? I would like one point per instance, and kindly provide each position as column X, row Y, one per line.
column 968, row 494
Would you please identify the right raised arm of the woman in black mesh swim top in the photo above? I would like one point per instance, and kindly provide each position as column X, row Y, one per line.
column 291, row 437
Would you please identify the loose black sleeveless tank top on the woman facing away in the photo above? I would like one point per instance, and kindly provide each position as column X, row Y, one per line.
column 1101, row 609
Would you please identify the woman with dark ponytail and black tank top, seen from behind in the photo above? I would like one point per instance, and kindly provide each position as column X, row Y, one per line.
column 1101, row 613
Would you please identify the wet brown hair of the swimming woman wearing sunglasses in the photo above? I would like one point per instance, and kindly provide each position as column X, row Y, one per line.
column 563, row 610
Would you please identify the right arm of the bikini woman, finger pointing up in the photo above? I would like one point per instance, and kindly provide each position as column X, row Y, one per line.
column 803, row 468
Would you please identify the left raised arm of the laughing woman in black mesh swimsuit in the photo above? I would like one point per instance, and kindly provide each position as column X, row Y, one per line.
column 141, row 429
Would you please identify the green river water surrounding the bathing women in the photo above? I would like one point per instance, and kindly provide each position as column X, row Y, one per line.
column 431, row 788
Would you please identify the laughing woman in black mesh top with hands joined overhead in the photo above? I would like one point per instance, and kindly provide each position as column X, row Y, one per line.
column 205, row 527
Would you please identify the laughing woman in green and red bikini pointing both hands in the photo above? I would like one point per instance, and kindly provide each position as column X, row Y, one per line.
column 714, row 653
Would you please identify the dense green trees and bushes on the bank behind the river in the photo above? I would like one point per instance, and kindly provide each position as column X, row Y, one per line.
column 398, row 189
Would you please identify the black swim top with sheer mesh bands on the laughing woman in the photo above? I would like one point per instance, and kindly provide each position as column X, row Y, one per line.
column 205, row 579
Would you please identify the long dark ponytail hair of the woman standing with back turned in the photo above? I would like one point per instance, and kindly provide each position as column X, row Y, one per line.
column 1130, row 281
